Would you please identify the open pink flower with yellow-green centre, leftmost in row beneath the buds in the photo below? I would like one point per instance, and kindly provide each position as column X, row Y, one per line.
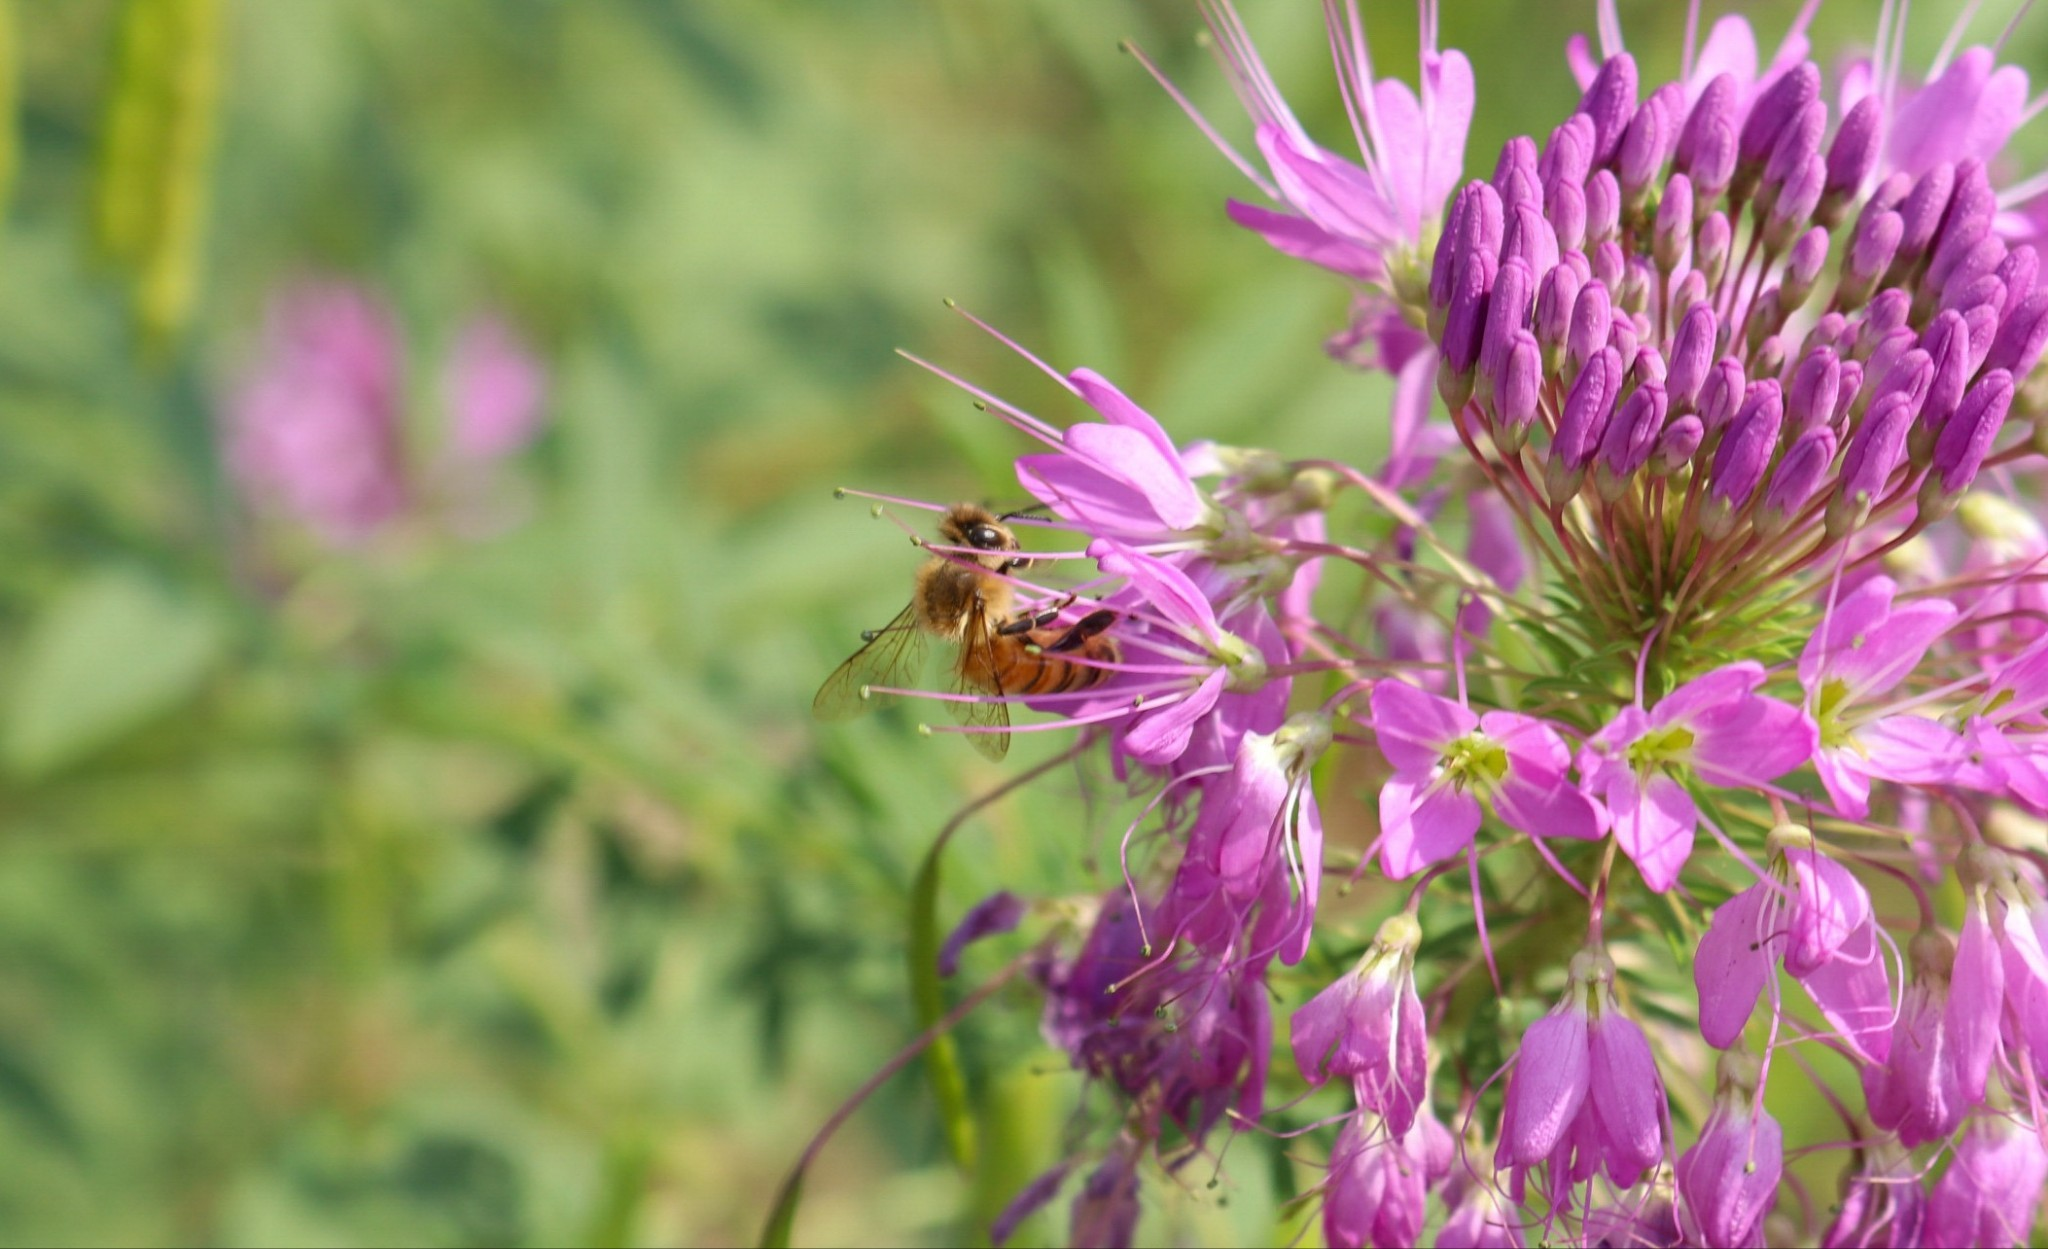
column 1451, row 765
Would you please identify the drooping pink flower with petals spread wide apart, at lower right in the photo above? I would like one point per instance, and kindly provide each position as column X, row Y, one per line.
column 1816, row 918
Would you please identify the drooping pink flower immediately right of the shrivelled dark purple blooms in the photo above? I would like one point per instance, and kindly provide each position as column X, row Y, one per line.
column 1369, row 1027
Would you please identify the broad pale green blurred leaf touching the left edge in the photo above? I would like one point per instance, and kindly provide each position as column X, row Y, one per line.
column 114, row 652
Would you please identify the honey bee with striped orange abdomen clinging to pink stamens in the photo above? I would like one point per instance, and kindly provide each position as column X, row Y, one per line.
column 1005, row 652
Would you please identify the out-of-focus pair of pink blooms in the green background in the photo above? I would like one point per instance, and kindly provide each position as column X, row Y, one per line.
column 314, row 431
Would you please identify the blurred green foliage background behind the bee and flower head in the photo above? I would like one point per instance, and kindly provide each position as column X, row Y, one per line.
column 497, row 888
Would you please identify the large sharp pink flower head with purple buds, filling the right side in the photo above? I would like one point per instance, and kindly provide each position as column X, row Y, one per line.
column 1709, row 660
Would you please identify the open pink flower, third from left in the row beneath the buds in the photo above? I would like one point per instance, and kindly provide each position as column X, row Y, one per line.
column 1863, row 652
